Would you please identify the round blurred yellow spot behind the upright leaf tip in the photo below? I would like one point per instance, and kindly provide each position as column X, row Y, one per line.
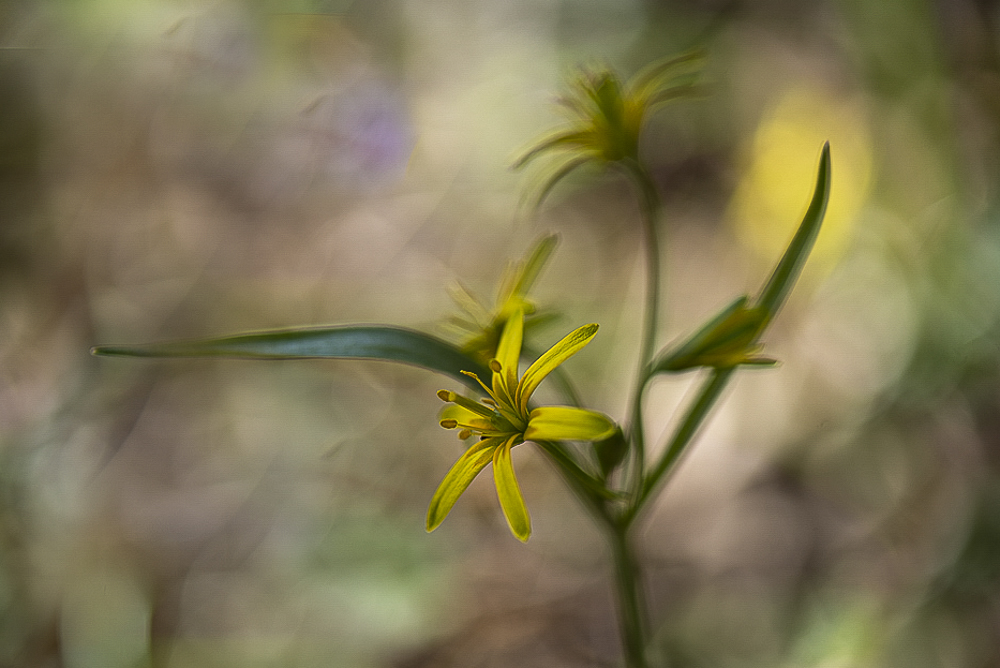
column 774, row 191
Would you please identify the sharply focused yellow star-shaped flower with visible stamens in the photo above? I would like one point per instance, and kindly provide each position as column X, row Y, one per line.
column 504, row 420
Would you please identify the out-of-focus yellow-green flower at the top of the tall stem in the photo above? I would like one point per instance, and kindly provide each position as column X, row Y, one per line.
column 608, row 116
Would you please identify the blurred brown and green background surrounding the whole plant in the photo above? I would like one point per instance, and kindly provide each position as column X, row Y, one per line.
column 187, row 169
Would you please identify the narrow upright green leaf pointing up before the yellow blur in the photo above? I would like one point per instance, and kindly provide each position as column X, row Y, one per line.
column 773, row 295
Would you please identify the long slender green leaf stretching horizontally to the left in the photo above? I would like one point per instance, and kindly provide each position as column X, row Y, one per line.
column 372, row 342
